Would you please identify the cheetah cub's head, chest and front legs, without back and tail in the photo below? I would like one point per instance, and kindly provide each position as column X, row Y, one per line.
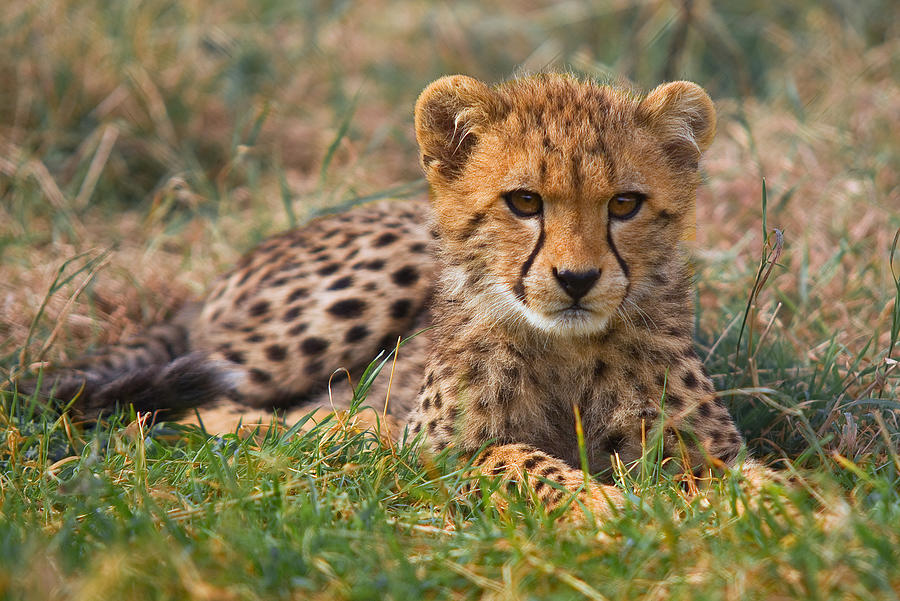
column 560, row 205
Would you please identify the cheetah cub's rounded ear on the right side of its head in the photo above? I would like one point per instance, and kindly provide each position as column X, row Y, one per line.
column 683, row 118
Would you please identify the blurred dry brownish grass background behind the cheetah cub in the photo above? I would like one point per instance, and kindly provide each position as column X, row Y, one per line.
column 144, row 145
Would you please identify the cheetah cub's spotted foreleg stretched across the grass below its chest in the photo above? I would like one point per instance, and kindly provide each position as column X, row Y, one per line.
column 513, row 461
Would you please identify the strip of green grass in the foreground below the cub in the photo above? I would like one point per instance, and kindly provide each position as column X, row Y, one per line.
column 332, row 513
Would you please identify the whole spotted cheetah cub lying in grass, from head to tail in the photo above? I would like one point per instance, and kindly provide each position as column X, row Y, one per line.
column 548, row 268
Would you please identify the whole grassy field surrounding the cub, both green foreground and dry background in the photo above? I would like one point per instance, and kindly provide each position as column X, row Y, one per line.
column 144, row 145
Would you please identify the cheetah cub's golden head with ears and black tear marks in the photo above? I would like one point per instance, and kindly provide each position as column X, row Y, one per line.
column 560, row 203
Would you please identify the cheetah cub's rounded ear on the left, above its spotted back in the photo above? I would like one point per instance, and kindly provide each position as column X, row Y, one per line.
column 450, row 114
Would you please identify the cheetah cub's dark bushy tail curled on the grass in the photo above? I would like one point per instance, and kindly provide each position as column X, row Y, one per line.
column 156, row 370
